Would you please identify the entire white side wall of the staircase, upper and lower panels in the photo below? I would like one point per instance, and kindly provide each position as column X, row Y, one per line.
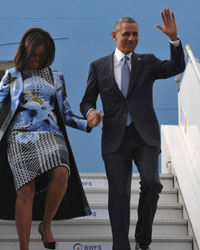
column 181, row 144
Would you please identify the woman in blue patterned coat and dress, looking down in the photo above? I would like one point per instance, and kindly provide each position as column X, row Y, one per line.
column 37, row 164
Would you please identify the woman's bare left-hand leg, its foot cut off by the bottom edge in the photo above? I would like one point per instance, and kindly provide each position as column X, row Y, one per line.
column 23, row 214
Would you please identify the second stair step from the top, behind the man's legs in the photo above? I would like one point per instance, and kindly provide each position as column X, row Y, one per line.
column 168, row 195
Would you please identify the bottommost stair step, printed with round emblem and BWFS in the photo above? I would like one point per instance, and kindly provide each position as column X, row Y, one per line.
column 71, row 242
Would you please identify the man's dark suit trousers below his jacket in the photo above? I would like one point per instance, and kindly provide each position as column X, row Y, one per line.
column 119, row 173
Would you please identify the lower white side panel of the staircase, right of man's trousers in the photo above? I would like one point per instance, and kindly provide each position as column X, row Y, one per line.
column 182, row 167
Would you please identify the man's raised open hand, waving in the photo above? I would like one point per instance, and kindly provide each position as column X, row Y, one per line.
column 169, row 24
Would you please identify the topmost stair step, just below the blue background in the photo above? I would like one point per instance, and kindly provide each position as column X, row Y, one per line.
column 100, row 180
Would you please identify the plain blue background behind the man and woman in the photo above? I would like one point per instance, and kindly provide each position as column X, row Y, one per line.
column 82, row 32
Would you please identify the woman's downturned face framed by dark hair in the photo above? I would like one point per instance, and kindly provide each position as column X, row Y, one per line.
column 37, row 57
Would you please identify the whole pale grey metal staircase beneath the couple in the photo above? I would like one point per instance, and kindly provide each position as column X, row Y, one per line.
column 170, row 230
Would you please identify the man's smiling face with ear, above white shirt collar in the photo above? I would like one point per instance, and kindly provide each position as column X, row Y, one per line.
column 126, row 37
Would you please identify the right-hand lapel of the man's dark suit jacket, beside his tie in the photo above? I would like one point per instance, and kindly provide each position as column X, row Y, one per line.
column 136, row 63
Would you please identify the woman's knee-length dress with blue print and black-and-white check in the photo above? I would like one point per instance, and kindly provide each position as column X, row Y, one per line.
column 35, row 142
